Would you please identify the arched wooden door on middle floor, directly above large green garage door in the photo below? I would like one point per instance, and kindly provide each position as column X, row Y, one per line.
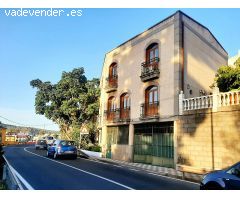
column 151, row 101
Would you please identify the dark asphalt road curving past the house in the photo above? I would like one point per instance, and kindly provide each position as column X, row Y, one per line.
column 43, row 173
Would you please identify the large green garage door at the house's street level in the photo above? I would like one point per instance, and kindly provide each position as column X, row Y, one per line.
column 153, row 144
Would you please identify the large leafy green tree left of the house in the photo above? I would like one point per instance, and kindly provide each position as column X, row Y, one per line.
column 74, row 100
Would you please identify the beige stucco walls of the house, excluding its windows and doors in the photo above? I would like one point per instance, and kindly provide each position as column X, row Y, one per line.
column 189, row 56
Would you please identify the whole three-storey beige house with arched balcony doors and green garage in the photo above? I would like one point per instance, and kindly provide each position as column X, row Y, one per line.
column 140, row 85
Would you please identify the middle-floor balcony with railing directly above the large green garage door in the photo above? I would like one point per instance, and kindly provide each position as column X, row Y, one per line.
column 149, row 110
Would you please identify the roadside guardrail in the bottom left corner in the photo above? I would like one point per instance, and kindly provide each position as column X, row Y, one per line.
column 13, row 179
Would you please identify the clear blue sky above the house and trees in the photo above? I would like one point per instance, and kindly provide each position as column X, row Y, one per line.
column 44, row 47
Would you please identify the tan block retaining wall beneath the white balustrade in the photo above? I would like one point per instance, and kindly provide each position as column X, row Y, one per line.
column 208, row 140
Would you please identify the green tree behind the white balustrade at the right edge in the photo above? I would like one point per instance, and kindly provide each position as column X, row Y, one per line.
column 228, row 78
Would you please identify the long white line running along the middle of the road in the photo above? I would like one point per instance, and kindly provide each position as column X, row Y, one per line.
column 106, row 179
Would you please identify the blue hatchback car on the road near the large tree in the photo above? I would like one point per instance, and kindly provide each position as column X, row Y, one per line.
column 62, row 148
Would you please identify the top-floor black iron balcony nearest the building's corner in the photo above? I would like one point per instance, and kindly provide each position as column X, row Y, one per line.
column 150, row 70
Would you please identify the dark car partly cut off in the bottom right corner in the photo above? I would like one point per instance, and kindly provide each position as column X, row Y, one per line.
column 228, row 179
